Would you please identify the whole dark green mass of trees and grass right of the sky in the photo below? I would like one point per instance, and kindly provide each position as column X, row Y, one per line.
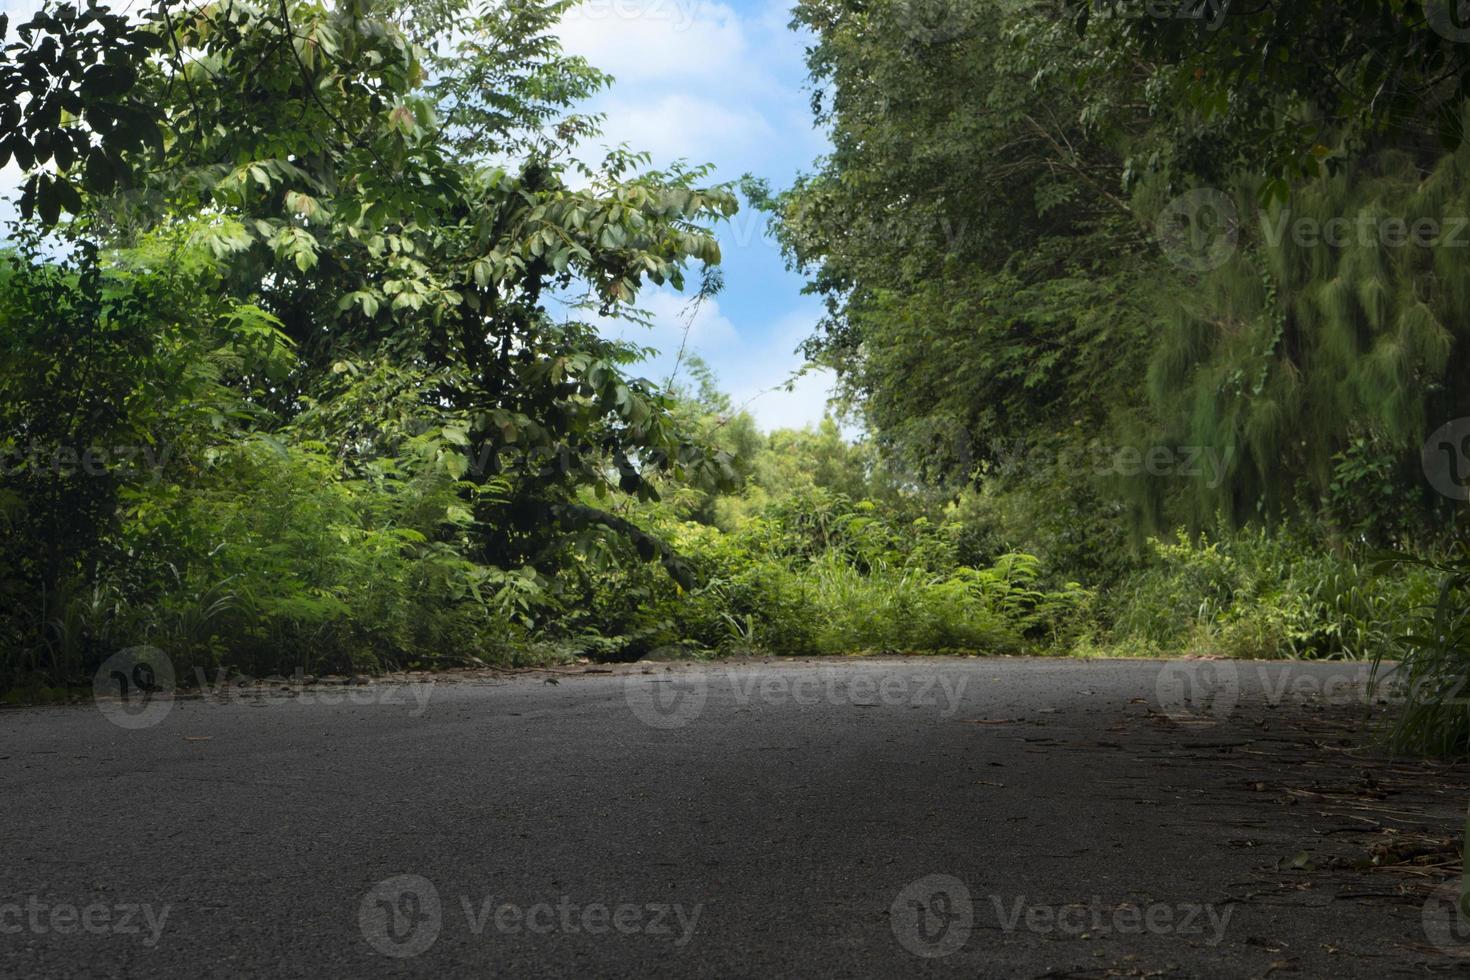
column 1168, row 296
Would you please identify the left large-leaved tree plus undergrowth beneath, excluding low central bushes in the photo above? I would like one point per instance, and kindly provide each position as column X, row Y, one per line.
column 321, row 298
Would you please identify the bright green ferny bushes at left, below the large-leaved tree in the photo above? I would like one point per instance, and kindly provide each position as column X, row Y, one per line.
column 229, row 540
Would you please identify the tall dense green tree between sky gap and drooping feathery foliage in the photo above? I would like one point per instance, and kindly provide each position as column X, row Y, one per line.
column 978, row 262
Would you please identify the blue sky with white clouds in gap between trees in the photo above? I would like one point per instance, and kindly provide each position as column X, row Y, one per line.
column 708, row 83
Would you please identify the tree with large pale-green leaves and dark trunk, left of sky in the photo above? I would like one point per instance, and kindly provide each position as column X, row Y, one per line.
column 359, row 206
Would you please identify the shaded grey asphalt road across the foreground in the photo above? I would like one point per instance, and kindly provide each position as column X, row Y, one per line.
column 805, row 819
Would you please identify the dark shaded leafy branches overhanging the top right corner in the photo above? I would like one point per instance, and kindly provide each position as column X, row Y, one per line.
column 1283, row 90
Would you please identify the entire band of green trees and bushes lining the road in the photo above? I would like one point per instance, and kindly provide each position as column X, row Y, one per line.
column 302, row 365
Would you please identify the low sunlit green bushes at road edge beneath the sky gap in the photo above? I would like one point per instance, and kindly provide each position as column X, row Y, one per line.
column 818, row 574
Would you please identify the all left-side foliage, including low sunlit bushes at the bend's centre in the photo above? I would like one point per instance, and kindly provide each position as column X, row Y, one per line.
column 287, row 390
